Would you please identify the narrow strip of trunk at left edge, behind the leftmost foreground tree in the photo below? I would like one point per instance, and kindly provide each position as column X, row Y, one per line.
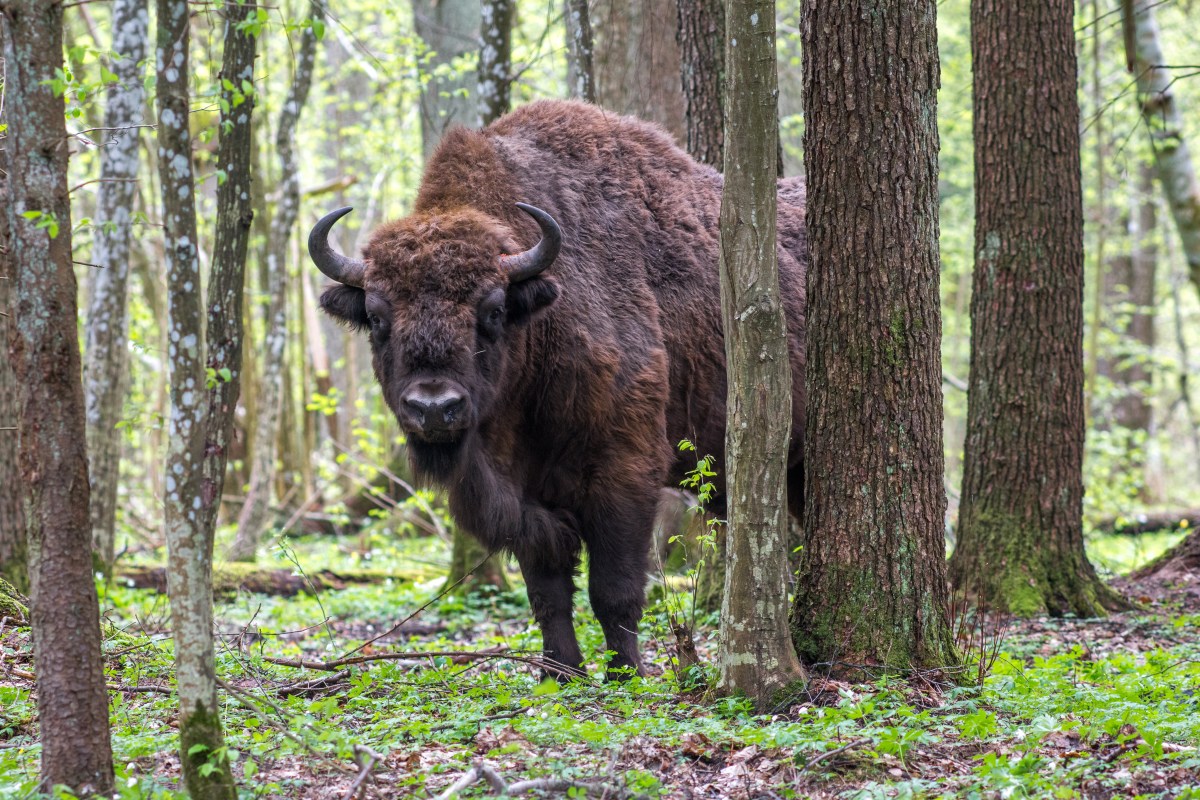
column 14, row 560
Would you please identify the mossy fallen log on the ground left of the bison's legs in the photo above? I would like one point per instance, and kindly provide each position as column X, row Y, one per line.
column 231, row 579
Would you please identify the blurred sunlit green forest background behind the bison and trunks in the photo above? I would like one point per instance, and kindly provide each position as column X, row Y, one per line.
column 389, row 77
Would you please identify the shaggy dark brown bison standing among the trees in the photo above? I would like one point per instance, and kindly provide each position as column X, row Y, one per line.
column 545, row 389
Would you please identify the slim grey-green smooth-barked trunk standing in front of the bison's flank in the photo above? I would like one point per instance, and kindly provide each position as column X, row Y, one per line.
column 757, row 657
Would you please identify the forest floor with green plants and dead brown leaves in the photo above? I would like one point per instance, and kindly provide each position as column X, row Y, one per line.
column 1070, row 708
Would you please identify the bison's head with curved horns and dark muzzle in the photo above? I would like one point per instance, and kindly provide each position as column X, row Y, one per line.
column 439, row 294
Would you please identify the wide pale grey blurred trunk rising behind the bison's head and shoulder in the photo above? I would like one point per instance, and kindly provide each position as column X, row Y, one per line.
column 451, row 31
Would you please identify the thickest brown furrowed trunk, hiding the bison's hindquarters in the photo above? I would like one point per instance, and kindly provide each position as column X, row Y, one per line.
column 872, row 587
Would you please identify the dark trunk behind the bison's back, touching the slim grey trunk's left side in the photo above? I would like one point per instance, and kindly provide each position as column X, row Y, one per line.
column 701, row 34
